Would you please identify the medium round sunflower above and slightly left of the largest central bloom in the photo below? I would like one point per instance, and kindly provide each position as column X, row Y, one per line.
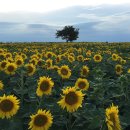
column 64, row 71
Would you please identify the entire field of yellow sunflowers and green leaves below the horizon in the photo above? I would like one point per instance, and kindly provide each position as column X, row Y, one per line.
column 64, row 86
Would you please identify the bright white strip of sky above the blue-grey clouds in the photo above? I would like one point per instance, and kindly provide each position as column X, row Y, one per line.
column 50, row 5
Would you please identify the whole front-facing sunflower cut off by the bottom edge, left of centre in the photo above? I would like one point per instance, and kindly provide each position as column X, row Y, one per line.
column 42, row 120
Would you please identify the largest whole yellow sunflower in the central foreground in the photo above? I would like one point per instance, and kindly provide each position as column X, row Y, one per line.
column 72, row 99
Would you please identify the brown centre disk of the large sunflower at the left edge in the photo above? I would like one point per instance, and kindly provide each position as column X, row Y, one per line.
column 6, row 105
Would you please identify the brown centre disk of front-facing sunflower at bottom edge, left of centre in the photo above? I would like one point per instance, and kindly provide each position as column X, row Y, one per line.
column 40, row 120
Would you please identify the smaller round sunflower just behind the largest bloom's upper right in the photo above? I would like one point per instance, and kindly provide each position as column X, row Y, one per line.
column 82, row 84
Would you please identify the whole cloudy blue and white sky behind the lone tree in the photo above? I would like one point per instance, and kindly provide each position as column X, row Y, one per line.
column 38, row 20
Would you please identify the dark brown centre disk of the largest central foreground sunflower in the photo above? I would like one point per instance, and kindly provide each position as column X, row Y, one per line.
column 71, row 98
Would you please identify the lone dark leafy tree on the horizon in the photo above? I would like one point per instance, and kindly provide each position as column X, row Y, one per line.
column 68, row 33
